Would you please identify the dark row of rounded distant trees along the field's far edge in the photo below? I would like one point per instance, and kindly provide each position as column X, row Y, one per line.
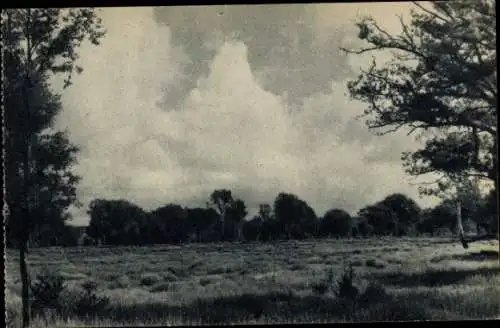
column 121, row 222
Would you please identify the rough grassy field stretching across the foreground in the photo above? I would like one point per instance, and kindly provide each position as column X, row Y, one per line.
column 417, row 279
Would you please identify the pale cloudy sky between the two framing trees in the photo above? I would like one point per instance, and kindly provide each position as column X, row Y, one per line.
column 179, row 101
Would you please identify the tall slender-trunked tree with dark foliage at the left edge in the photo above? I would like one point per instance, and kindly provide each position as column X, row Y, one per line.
column 37, row 43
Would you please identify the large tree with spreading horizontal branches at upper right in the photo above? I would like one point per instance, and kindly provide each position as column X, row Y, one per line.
column 442, row 84
